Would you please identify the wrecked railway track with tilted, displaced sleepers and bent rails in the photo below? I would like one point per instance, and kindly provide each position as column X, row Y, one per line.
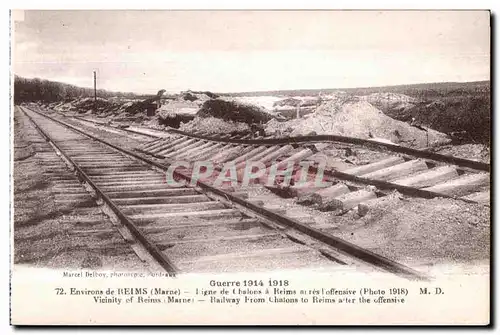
column 411, row 172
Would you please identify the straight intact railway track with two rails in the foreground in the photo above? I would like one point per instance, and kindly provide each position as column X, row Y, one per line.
column 199, row 228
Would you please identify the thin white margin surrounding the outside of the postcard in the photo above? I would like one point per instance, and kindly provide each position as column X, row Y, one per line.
column 186, row 4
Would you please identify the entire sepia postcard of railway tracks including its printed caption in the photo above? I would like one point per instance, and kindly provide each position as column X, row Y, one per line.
column 250, row 167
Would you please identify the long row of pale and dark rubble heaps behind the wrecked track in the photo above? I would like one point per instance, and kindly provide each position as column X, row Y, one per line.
column 336, row 113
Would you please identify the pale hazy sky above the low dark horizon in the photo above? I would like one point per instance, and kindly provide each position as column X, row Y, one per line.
column 236, row 51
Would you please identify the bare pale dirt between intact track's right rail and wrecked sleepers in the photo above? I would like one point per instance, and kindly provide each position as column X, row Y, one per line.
column 417, row 232
